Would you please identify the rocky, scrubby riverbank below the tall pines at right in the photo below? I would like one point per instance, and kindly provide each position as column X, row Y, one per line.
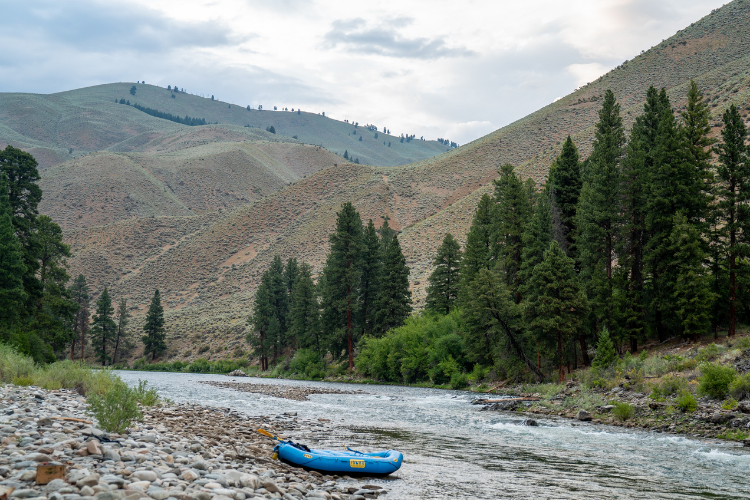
column 709, row 420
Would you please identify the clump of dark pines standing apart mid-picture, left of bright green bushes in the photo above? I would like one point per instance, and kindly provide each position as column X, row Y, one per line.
column 363, row 290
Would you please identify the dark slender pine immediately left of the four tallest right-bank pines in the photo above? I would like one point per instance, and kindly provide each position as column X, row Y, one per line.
column 566, row 182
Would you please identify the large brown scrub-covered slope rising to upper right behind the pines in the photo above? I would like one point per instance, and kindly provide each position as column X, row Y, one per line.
column 208, row 267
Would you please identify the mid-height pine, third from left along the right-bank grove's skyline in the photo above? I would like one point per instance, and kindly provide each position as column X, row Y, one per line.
column 513, row 210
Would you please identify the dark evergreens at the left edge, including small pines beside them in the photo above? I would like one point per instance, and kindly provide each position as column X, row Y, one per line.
column 40, row 315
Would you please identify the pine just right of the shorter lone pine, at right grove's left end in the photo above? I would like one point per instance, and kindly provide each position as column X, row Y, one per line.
column 477, row 253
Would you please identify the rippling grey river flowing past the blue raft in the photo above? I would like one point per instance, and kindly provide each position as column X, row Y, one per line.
column 454, row 451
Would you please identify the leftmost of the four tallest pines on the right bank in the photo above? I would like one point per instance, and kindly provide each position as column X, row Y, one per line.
column 597, row 215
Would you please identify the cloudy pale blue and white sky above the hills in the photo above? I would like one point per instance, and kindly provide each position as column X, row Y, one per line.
column 454, row 69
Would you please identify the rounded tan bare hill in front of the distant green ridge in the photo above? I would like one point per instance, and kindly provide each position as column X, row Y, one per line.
column 186, row 173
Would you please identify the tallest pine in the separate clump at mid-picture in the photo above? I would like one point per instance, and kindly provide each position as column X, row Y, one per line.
column 341, row 279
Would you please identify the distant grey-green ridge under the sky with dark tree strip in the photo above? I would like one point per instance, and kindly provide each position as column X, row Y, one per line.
column 59, row 127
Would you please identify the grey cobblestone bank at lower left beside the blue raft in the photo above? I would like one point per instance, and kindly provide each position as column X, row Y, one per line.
column 178, row 452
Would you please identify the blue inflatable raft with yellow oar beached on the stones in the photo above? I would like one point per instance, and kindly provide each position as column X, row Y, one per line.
column 349, row 462
